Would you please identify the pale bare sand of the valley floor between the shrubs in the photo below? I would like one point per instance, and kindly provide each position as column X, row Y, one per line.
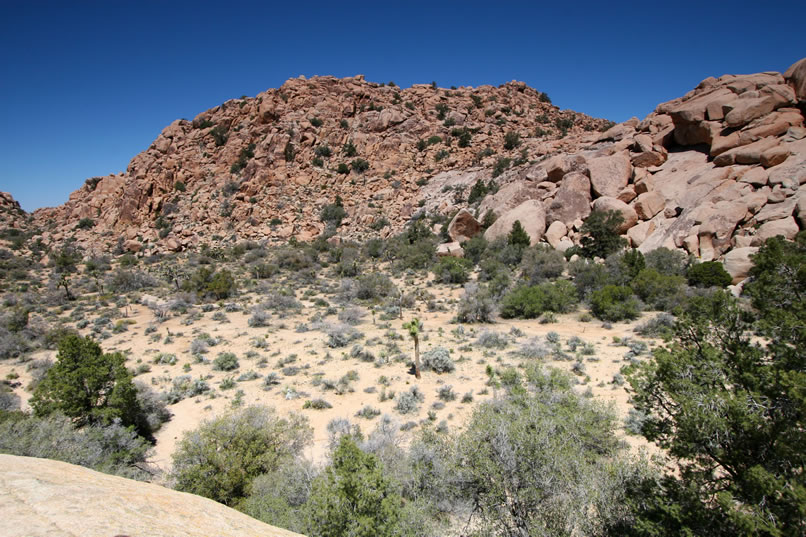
column 312, row 352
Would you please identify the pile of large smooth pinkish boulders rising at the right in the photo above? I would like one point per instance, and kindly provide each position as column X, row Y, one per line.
column 721, row 168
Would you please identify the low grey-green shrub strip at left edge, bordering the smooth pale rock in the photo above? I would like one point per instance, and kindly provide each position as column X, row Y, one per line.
column 111, row 448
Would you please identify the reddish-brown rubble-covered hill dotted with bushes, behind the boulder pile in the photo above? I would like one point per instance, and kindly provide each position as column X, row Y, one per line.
column 264, row 167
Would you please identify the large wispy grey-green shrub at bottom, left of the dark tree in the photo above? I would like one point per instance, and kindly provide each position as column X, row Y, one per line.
column 549, row 451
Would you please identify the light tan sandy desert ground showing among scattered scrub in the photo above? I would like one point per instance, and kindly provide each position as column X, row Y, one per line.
column 283, row 344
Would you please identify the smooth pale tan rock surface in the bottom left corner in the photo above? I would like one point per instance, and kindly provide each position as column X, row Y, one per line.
column 49, row 498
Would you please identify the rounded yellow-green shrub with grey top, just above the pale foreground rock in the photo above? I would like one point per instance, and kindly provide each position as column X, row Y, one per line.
column 257, row 442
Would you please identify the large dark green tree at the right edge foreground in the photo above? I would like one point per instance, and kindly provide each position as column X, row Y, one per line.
column 727, row 400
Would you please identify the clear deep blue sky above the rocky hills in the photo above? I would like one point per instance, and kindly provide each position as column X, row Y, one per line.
column 86, row 85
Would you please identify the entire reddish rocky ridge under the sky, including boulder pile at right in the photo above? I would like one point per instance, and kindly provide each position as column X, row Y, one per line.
column 715, row 171
